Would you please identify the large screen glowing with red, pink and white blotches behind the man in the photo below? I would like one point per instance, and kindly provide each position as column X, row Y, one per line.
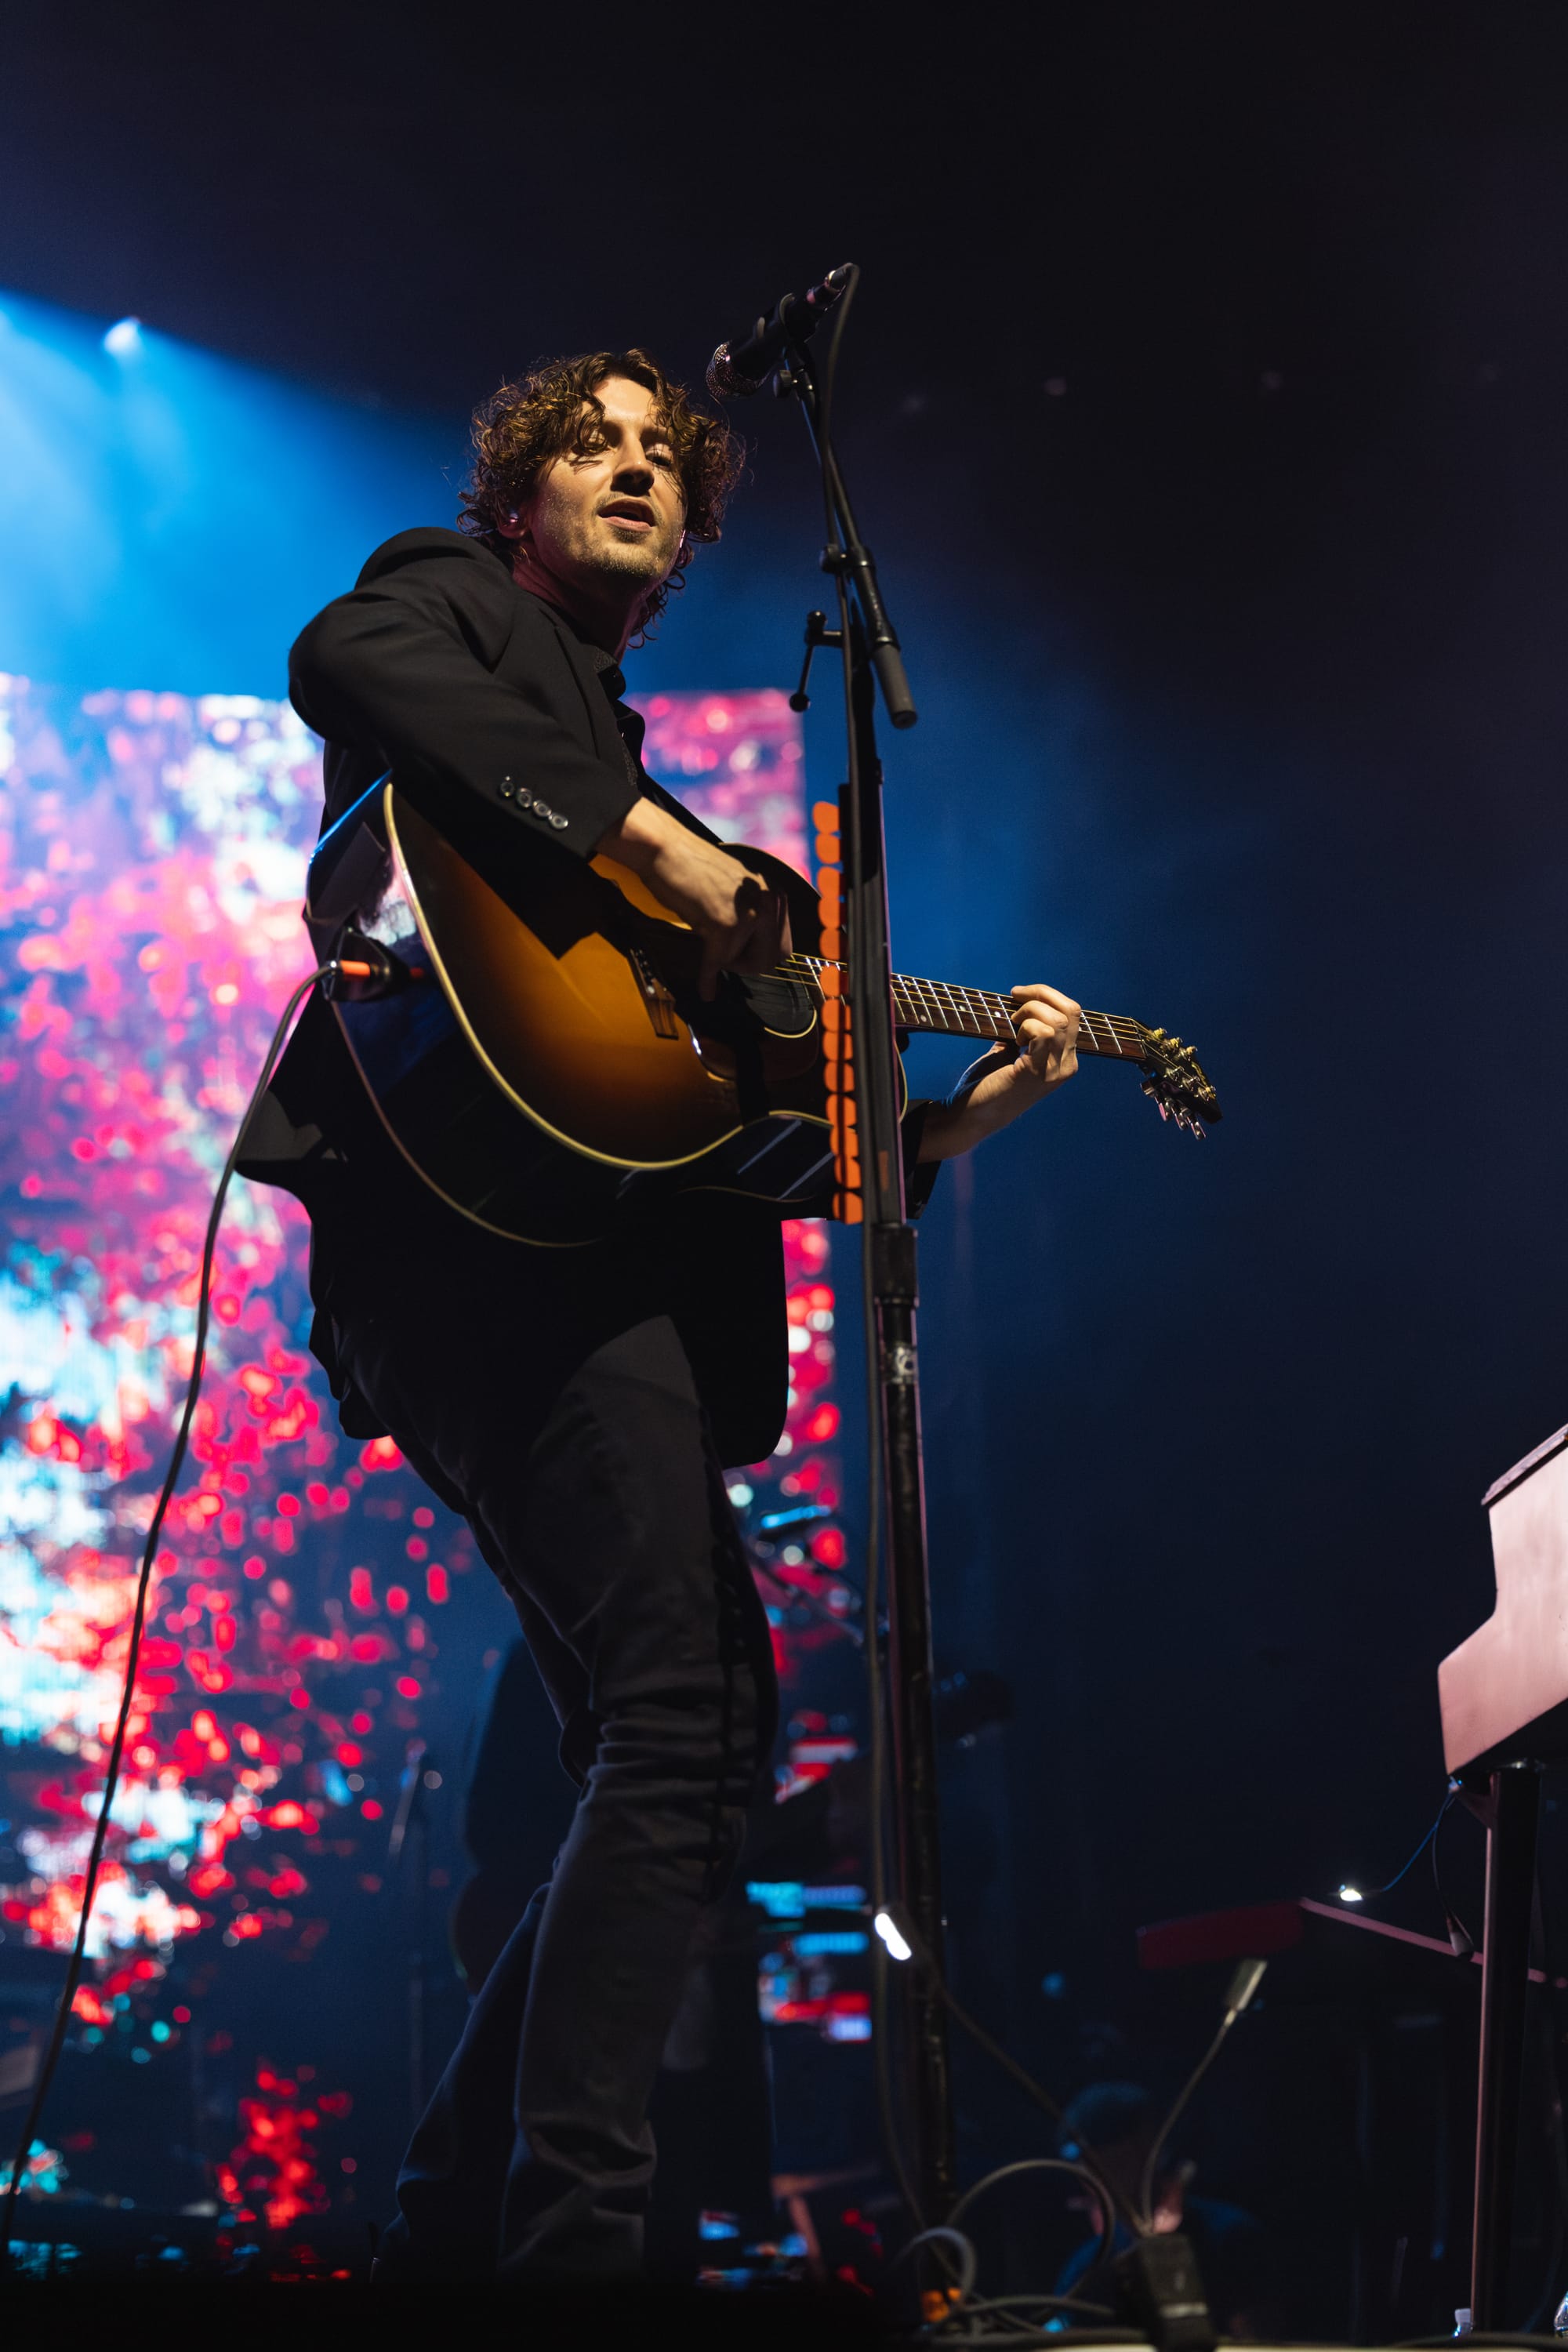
column 149, row 933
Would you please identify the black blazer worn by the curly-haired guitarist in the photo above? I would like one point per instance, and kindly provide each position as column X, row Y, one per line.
column 441, row 667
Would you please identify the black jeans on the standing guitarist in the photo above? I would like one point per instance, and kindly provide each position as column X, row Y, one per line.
column 577, row 1445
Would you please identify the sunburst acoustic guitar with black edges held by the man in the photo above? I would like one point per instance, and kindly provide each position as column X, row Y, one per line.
column 542, row 1057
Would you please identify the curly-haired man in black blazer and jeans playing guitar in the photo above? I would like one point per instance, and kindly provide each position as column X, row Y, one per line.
column 575, row 1405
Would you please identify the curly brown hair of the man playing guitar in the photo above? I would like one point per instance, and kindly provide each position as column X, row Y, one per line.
column 528, row 425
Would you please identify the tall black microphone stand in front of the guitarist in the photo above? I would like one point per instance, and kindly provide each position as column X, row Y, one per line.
column 873, row 660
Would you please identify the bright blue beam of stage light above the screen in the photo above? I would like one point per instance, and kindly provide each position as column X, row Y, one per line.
column 170, row 519
